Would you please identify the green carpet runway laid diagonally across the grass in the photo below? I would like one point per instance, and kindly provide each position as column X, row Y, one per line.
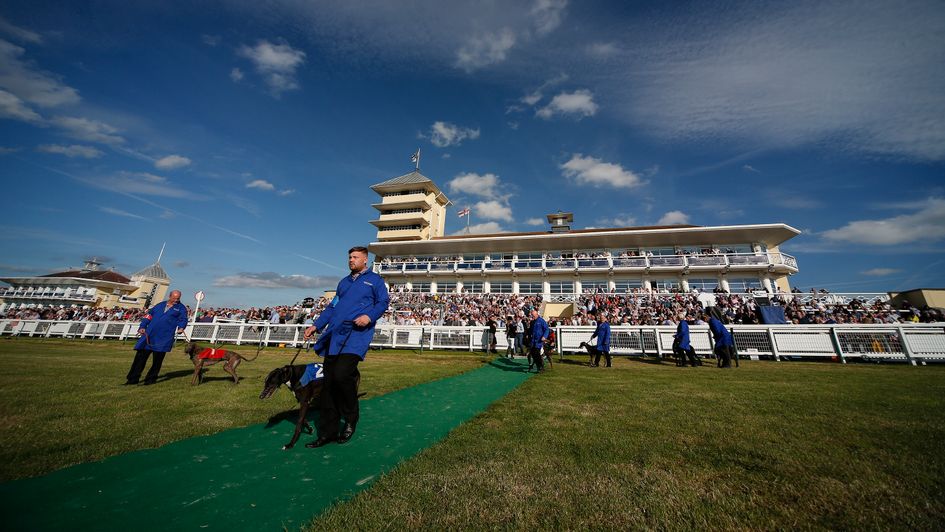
column 241, row 478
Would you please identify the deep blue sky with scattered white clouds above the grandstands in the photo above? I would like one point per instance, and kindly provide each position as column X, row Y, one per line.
column 245, row 134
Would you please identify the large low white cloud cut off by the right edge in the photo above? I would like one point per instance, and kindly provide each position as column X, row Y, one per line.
column 927, row 224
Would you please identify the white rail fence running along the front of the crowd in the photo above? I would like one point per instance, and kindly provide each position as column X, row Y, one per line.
column 913, row 343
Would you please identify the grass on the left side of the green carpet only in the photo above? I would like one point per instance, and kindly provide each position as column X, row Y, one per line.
column 62, row 402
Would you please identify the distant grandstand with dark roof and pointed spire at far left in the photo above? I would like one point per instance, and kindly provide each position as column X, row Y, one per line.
column 88, row 286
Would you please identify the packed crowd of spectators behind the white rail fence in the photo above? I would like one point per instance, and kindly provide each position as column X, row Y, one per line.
column 635, row 308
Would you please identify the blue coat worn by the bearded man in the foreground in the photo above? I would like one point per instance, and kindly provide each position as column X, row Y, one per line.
column 365, row 295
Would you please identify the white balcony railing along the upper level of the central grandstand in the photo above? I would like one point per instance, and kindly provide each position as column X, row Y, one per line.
column 733, row 261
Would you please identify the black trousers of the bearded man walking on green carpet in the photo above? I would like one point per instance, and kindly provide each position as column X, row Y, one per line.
column 339, row 393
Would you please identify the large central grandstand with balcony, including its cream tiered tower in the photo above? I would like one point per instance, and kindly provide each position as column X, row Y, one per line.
column 562, row 262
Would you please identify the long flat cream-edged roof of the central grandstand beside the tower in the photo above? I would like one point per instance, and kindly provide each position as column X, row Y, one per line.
column 645, row 236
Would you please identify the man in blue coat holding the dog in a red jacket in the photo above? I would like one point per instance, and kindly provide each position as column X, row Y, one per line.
column 157, row 331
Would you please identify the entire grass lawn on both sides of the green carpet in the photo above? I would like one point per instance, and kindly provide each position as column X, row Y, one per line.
column 640, row 445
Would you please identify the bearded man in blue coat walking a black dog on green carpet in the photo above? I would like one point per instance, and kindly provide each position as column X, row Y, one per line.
column 347, row 327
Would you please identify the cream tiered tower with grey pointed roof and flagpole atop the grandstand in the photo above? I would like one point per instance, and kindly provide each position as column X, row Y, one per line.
column 411, row 208
